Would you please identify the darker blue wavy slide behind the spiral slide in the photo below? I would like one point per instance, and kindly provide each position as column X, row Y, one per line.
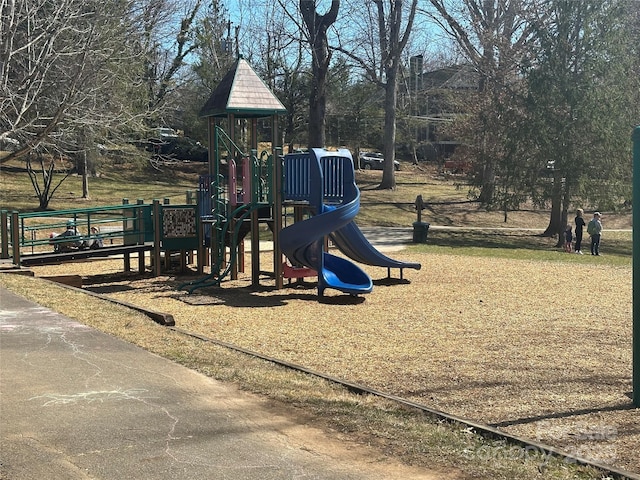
column 351, row 241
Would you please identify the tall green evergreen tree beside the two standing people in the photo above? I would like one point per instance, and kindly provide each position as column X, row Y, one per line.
column 578, row 93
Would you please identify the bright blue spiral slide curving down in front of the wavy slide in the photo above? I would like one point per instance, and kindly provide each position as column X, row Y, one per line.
column 303, row 241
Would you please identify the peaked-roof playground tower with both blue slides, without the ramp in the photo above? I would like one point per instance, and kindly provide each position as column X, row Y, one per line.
column 243, row 190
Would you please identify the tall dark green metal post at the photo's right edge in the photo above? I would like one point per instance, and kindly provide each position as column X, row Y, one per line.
column 636, row 267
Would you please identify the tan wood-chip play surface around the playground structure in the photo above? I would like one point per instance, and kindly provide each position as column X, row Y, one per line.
column 539, row 349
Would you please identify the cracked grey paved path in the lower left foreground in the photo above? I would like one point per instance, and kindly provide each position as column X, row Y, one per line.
column 79, row 404
